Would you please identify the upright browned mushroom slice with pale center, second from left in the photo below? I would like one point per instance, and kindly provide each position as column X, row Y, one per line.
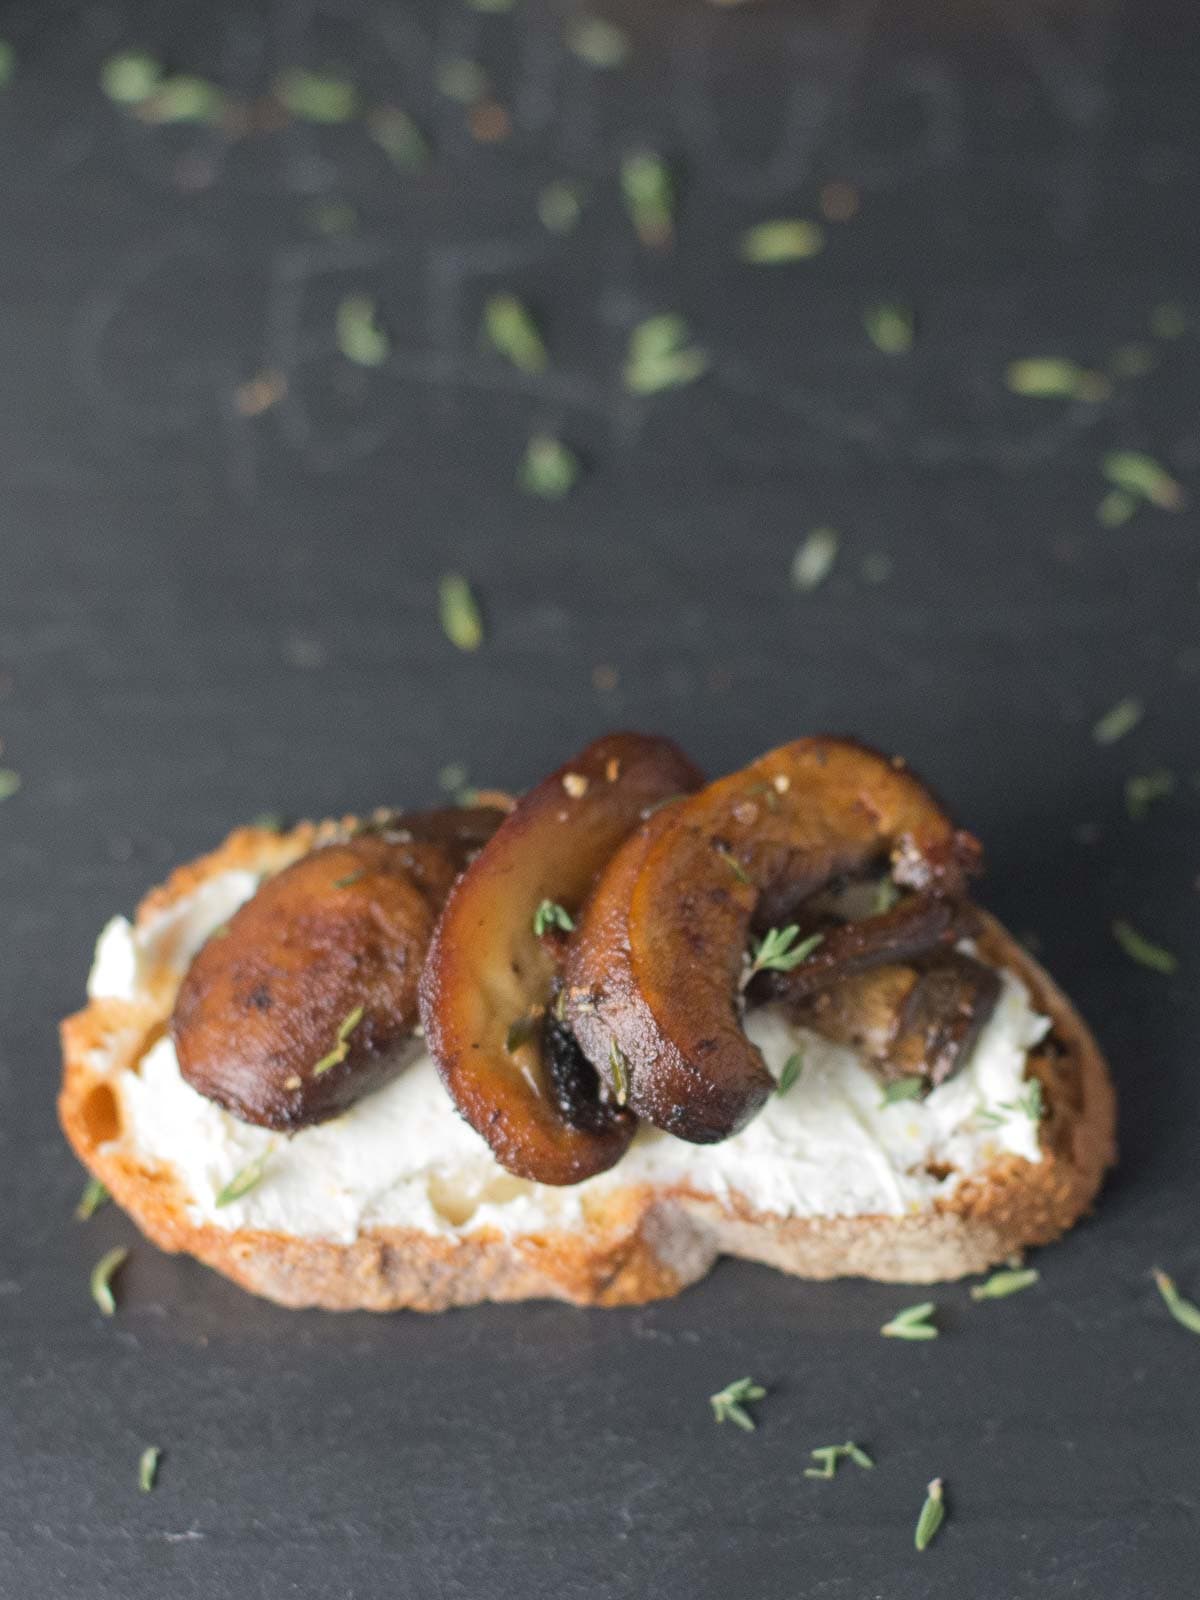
column 513, row 1071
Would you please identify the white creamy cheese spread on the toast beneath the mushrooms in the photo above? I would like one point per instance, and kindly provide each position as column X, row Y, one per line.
column 402, row 1158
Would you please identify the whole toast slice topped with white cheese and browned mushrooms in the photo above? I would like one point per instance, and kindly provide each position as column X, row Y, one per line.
column 662, row 1023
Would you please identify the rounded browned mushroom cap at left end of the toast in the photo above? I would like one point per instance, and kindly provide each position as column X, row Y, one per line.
column 308, row 1001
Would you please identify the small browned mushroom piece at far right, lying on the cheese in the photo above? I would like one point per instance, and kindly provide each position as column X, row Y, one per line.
column 918, row 1020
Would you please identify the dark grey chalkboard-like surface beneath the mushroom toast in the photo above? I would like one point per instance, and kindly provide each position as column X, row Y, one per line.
column 204, row 617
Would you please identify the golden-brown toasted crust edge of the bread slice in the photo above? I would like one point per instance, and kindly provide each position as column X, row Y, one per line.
column 644, row 1242
